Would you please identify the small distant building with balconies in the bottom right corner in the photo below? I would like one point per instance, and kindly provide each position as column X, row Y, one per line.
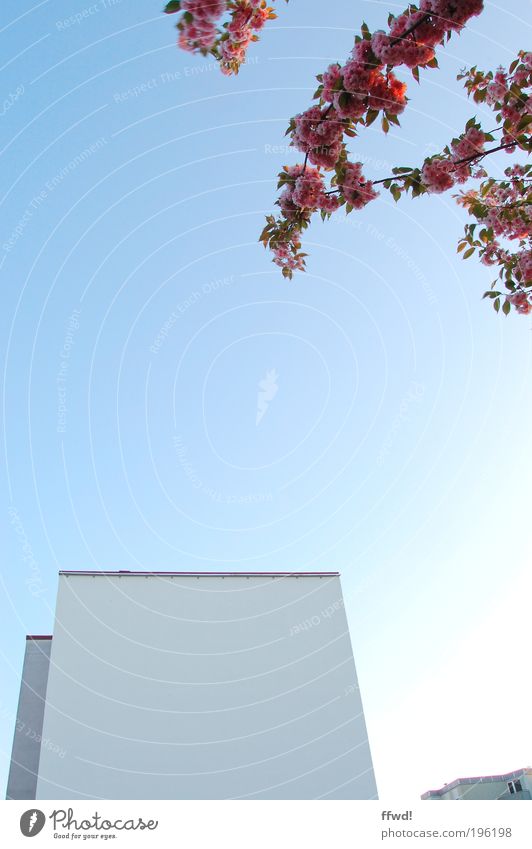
column 512, row 785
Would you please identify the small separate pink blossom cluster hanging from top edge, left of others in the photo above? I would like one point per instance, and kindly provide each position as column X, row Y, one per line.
column 201, row 30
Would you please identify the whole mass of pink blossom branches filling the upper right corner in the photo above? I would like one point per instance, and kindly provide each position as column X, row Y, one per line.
column 353, row 95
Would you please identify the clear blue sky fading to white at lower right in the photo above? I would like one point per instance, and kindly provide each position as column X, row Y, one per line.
column 171, row 403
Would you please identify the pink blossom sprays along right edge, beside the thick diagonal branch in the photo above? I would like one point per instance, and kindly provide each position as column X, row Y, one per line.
column 502, row 209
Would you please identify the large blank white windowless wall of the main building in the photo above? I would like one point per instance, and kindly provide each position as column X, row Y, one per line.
column 203, row 688
